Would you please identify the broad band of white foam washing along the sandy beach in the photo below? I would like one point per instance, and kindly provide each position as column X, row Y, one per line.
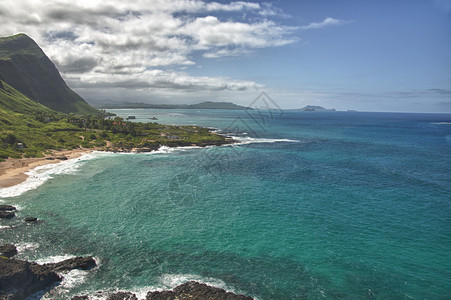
column 39, row 175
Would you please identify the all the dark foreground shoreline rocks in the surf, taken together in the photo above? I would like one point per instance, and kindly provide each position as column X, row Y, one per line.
column 20, row 279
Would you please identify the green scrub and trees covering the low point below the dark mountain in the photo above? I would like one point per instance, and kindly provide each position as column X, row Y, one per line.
column 29, row 129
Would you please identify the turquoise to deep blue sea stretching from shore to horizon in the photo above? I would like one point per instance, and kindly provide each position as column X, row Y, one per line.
column 309, row 206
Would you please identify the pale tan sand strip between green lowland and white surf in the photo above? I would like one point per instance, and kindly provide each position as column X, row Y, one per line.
column 12, row 171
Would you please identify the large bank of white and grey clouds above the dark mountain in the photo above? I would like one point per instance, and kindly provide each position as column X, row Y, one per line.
column 145, row 44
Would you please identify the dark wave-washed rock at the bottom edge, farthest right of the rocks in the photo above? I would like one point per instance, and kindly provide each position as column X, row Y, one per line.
column 195, row 290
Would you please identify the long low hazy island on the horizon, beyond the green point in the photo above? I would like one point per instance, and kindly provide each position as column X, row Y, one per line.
column 202, row 105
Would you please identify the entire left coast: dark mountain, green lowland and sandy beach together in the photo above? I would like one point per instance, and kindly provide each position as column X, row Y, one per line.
column 43, row 120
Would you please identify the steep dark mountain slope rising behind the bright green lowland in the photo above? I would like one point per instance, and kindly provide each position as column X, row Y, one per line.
column 25, row 66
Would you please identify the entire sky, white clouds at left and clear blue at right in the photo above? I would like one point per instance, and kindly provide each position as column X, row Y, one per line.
column 385, row 55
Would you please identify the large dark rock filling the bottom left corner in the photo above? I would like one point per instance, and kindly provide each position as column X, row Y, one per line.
column 19, row 279
